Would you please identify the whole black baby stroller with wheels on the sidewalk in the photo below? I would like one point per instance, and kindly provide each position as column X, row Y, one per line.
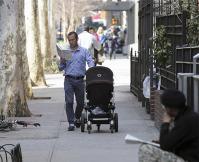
column 99, row 108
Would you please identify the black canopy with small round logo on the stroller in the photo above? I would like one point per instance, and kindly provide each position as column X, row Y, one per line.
column 99, row 74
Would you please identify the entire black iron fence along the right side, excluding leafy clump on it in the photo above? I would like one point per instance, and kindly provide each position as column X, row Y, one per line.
column 173, row 16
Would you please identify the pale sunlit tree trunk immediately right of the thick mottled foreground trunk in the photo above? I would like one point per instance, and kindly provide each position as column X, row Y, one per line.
column 33, row 45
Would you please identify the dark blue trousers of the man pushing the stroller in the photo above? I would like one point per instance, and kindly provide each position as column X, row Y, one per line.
column 74, row 87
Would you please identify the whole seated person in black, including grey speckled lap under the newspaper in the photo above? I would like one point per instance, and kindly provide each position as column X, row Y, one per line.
column 179, row 132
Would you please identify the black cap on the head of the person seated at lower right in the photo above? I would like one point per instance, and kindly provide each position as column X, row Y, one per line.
column 173, row 98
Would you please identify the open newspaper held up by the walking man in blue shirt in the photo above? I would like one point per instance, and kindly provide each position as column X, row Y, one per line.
column 63, row 51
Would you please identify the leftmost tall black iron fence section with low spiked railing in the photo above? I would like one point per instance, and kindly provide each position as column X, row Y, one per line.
column 140, row 60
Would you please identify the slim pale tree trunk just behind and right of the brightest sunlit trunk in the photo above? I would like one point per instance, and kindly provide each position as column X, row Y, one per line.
column 44, row 34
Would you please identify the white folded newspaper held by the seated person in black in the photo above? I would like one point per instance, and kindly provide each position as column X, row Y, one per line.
column 134, row 140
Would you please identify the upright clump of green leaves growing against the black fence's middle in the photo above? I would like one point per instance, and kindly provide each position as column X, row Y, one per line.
column 161, row 47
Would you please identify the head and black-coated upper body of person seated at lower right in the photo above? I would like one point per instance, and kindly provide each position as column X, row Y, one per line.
column 183, row 138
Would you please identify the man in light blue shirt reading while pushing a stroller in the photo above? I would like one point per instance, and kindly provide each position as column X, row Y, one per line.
column 74, row 72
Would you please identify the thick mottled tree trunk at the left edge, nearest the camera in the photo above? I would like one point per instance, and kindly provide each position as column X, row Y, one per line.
column 12, row 52
